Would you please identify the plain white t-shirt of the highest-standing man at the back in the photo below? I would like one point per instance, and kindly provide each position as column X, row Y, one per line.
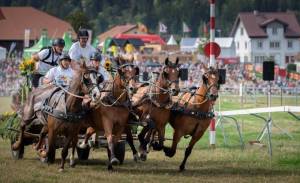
column 76, row 51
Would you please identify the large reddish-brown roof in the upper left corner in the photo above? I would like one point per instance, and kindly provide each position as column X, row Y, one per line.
column 17, row 19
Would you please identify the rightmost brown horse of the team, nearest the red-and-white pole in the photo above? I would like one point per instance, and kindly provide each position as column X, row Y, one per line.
column 193, row 114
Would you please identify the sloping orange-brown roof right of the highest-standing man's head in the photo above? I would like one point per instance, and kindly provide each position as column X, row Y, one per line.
column 119, row 29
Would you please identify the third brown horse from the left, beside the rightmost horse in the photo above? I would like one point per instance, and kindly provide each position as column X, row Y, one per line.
column 154, row 105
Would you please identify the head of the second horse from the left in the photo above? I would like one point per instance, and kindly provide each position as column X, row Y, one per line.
column 128, row 74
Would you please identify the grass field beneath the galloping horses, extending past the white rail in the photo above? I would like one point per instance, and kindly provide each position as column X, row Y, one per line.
column 226, row 163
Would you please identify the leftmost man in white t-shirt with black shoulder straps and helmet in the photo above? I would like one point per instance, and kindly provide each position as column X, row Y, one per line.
column 46, row 59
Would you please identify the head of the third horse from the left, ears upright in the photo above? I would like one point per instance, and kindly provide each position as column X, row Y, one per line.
column 170, row 76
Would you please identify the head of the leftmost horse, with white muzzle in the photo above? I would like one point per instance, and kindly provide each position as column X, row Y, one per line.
column 90, row 80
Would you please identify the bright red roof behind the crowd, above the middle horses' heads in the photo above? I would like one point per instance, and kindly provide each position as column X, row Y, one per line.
column 146, row 38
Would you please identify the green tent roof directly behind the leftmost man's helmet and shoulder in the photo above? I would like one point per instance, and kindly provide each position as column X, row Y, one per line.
column 43, row 42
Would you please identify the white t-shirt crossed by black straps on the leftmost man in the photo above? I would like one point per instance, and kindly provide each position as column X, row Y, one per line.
column 43, row 67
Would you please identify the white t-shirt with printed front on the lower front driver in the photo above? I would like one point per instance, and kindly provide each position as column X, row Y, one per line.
column 60, row 76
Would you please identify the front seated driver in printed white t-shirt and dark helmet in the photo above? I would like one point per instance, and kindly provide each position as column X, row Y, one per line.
column 62, row 74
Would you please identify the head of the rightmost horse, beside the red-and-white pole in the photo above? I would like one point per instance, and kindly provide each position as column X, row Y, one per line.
column 211, row 80
